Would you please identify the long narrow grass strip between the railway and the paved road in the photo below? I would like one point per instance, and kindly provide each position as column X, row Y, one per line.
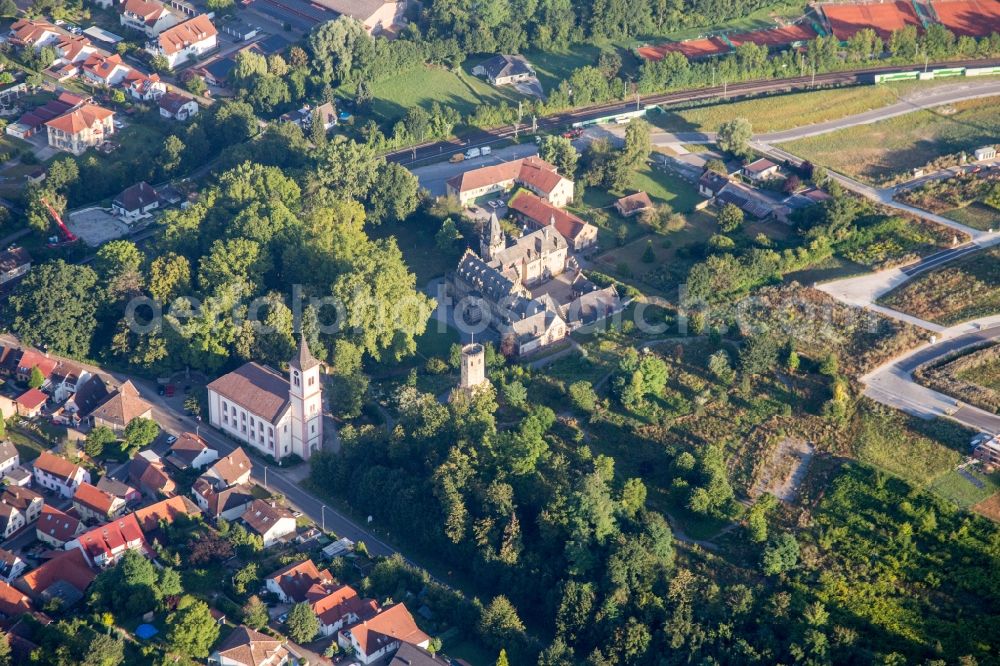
column 781, row 112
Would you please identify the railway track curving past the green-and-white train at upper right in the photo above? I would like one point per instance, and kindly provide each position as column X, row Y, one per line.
column 439, row 149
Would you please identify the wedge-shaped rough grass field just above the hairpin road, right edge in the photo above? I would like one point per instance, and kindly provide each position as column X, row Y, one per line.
column 963, row 290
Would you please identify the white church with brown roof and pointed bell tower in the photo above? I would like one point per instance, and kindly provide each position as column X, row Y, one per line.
column 277, row 415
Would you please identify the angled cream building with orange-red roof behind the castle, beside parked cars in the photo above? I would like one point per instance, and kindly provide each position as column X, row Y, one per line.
column 532, row 173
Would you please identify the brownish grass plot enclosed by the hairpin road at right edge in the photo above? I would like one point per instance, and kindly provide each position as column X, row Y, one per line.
column 973, row 377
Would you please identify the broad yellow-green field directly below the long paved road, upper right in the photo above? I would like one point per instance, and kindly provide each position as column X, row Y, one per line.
column 881, row 152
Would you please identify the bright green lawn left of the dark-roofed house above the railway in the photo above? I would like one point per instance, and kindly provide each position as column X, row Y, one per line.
column 426, row 85
